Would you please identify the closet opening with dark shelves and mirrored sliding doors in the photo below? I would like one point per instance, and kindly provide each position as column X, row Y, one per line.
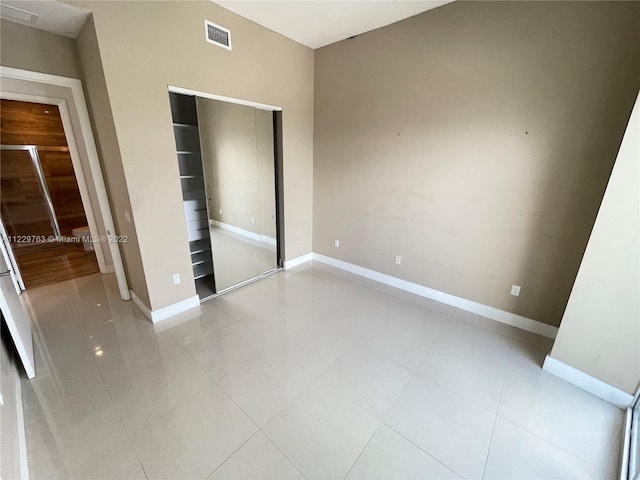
column 226, row 154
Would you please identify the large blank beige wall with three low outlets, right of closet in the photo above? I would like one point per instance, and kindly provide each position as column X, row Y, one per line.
column 475, row 141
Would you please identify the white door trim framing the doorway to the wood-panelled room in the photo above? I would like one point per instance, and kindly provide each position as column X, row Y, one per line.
column 85, row 136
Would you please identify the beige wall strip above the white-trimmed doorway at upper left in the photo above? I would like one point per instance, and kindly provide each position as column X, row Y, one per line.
column 31, row 49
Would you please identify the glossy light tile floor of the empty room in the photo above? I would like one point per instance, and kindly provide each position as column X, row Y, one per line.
column 309, row 374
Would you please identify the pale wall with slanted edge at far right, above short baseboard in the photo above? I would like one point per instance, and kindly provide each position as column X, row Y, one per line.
column 600, row 331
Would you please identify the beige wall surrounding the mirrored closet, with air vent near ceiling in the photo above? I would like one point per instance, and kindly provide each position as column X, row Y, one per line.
column 146, row 46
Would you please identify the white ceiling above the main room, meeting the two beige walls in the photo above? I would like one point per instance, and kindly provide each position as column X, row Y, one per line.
column 316, row 23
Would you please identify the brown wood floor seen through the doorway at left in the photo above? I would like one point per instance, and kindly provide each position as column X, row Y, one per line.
column 43, row 264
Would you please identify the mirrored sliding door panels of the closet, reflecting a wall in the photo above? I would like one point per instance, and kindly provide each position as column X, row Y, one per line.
column 238, row 158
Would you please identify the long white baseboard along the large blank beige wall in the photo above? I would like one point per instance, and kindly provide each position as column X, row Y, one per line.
column 493, row 313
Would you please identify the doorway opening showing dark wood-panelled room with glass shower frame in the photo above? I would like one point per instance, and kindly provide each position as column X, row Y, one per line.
column 41, row 206
